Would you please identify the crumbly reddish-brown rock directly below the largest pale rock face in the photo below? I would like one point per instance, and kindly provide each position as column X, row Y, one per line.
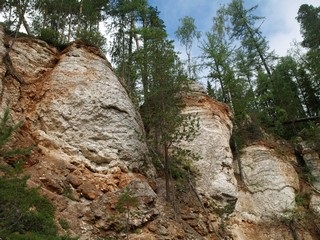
column 87, row 203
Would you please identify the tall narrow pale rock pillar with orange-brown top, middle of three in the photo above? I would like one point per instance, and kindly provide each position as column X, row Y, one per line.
column 216, row 176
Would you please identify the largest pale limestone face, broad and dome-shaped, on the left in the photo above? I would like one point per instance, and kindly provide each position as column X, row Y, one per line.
column 87, row 114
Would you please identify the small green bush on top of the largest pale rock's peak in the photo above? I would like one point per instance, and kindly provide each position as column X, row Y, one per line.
column 91, row 38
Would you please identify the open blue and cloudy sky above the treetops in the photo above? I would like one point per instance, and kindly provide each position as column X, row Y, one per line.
column 280, row 26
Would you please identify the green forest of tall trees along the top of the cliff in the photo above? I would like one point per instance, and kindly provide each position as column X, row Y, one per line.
column 279, row 93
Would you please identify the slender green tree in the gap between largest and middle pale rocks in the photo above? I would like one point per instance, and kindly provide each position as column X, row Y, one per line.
column 168, row 127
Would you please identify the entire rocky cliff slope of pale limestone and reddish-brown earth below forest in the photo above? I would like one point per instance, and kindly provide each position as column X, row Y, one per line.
column 89, row 152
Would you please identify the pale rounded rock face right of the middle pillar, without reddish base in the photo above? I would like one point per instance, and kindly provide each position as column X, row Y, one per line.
column 270, row 184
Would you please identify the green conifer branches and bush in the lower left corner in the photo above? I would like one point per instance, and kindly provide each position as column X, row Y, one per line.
column 24, row 213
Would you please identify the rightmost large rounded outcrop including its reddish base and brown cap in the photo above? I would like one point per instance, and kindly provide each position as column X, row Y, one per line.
column 268, row 205
